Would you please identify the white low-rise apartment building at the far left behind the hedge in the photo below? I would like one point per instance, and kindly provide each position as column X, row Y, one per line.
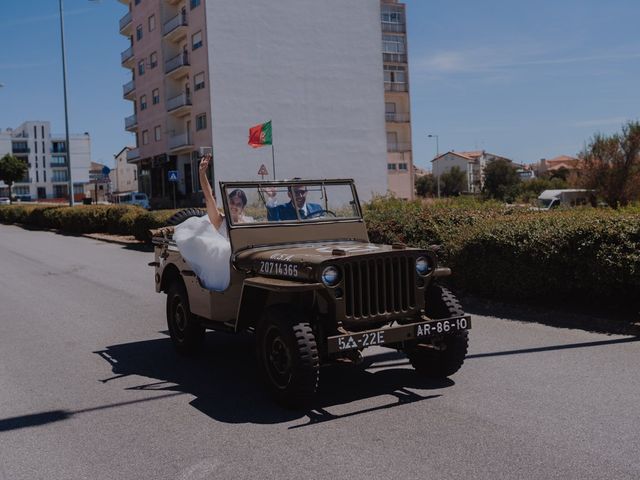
column 47, row 157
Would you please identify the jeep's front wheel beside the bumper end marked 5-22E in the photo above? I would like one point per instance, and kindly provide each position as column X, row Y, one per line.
column 288, row 356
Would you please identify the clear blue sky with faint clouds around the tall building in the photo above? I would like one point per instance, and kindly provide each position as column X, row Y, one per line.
column 526, row 80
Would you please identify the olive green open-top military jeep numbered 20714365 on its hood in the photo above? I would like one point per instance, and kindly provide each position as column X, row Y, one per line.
column 313, row 288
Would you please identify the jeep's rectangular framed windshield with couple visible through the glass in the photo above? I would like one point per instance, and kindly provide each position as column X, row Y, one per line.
column 296, row 201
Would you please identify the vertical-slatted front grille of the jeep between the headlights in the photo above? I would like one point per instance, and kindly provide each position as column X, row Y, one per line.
column 380, row 286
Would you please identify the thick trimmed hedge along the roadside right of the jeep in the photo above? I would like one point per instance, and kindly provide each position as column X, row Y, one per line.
column 590, row 255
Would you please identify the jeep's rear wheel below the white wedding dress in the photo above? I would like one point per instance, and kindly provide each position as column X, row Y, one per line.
column 185, row 332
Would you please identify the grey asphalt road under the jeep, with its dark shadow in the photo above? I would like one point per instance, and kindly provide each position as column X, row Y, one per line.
column 91, row 388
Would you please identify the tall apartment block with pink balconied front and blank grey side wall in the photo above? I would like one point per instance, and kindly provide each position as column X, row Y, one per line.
column 204, row 71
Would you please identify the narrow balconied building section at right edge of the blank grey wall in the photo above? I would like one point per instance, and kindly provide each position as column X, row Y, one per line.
column 396, row 97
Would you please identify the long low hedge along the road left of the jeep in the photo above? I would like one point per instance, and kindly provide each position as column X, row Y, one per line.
column 122, row 220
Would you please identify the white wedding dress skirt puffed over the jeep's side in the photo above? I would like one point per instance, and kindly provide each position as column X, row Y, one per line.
column 206, row 249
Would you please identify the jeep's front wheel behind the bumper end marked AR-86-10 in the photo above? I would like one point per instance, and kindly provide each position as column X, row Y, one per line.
column 446, row 356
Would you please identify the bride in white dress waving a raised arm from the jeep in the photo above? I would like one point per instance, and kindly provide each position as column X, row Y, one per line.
column 204, row 241
